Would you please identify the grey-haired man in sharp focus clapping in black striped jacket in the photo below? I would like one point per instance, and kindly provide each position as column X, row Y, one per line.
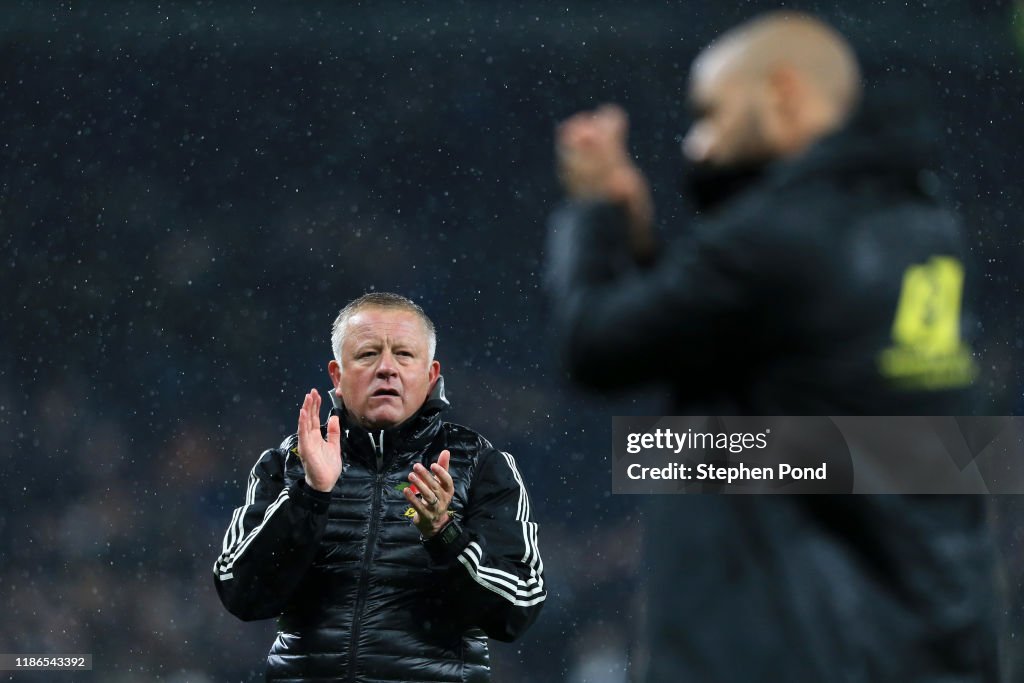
column 389, row 542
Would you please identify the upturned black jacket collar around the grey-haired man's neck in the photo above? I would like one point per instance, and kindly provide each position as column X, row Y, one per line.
column 381, row 446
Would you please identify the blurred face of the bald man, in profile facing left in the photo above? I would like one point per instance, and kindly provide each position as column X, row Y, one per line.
column 729, row 130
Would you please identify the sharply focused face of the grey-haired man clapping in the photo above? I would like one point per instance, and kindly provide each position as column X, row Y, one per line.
column 387, row 372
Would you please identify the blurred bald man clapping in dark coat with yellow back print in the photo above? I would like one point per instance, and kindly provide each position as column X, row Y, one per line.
column 823, row 278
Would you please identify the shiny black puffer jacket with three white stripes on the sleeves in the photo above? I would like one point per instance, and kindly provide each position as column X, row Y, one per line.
column 360, row 597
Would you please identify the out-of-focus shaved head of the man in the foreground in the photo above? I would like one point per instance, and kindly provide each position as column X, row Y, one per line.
column 770, row 89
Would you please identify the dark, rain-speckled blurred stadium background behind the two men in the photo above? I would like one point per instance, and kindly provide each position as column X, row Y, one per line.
column 189, row 194
